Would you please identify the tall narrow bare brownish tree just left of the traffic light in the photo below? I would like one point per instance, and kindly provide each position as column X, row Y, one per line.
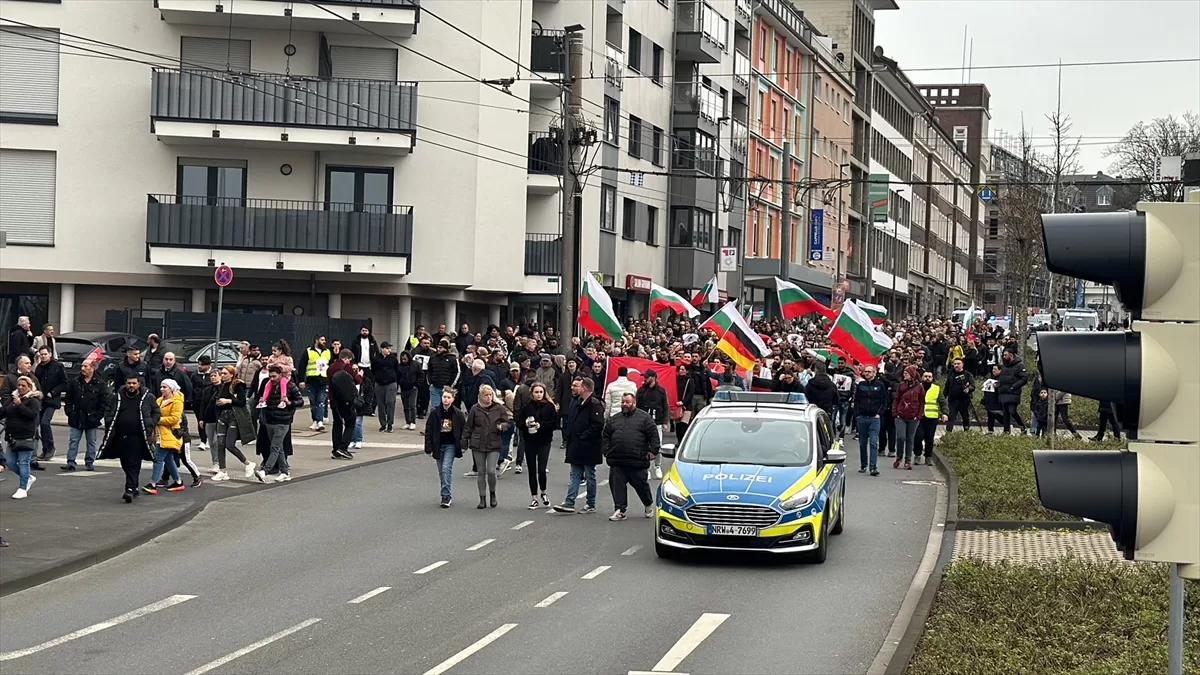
column 1023, row 200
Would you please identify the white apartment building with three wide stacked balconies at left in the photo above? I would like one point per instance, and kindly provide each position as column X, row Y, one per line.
column 289, row 141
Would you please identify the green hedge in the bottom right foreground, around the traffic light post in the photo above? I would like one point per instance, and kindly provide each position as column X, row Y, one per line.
column 1059, row 618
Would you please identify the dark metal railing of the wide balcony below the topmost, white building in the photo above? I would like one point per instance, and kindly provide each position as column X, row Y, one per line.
column 283, row 100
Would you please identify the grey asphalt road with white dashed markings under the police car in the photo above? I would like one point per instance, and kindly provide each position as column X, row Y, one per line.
column 267, row 583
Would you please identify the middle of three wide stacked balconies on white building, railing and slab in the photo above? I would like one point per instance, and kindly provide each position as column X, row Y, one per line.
column 279, row 112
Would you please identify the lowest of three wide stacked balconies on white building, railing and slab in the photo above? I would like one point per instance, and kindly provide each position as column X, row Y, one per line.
column 279, row 235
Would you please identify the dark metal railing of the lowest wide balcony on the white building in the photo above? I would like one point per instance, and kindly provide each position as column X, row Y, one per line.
column 279, row 225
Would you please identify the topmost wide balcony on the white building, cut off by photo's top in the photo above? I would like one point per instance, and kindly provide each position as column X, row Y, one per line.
column 389, row 19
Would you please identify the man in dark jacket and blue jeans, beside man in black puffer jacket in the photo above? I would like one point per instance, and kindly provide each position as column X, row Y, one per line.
column 583, row 434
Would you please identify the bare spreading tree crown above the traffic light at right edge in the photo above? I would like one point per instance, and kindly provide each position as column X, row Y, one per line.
column 1136, row 157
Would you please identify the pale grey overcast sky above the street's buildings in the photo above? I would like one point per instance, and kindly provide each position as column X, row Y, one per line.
column 1103, row 101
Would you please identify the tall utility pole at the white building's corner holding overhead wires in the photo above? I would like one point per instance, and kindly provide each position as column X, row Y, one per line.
column 573, row 110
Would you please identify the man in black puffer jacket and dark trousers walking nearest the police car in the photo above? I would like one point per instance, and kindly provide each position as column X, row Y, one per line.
column 631, row 439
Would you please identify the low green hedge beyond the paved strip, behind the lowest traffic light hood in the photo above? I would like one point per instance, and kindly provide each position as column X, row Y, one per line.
column 995, row 474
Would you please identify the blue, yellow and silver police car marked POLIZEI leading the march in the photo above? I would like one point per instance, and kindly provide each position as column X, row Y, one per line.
column 755, row 473
